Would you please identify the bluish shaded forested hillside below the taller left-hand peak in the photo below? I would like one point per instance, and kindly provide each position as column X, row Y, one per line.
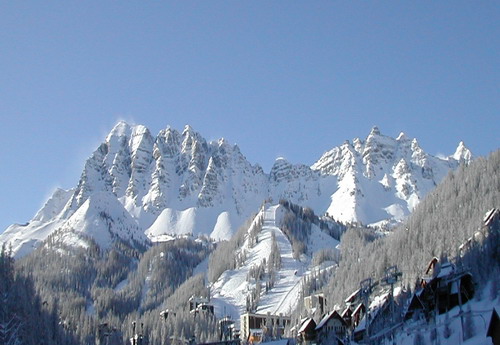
column 85, row 289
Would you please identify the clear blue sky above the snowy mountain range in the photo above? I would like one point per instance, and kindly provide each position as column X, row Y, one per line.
column 279, row 78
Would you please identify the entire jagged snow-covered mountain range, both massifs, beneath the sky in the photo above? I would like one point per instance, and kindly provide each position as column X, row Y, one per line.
column 178, row 183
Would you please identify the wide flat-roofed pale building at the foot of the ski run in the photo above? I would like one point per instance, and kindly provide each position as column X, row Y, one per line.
column 252, row 326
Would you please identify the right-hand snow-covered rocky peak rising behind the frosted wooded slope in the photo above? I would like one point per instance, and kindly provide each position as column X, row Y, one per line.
column 381, row 178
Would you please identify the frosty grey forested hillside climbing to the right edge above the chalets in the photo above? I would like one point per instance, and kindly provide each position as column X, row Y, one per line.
column 442, row 222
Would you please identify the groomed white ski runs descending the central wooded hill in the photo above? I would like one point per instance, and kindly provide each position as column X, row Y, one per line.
column 230, row 291
